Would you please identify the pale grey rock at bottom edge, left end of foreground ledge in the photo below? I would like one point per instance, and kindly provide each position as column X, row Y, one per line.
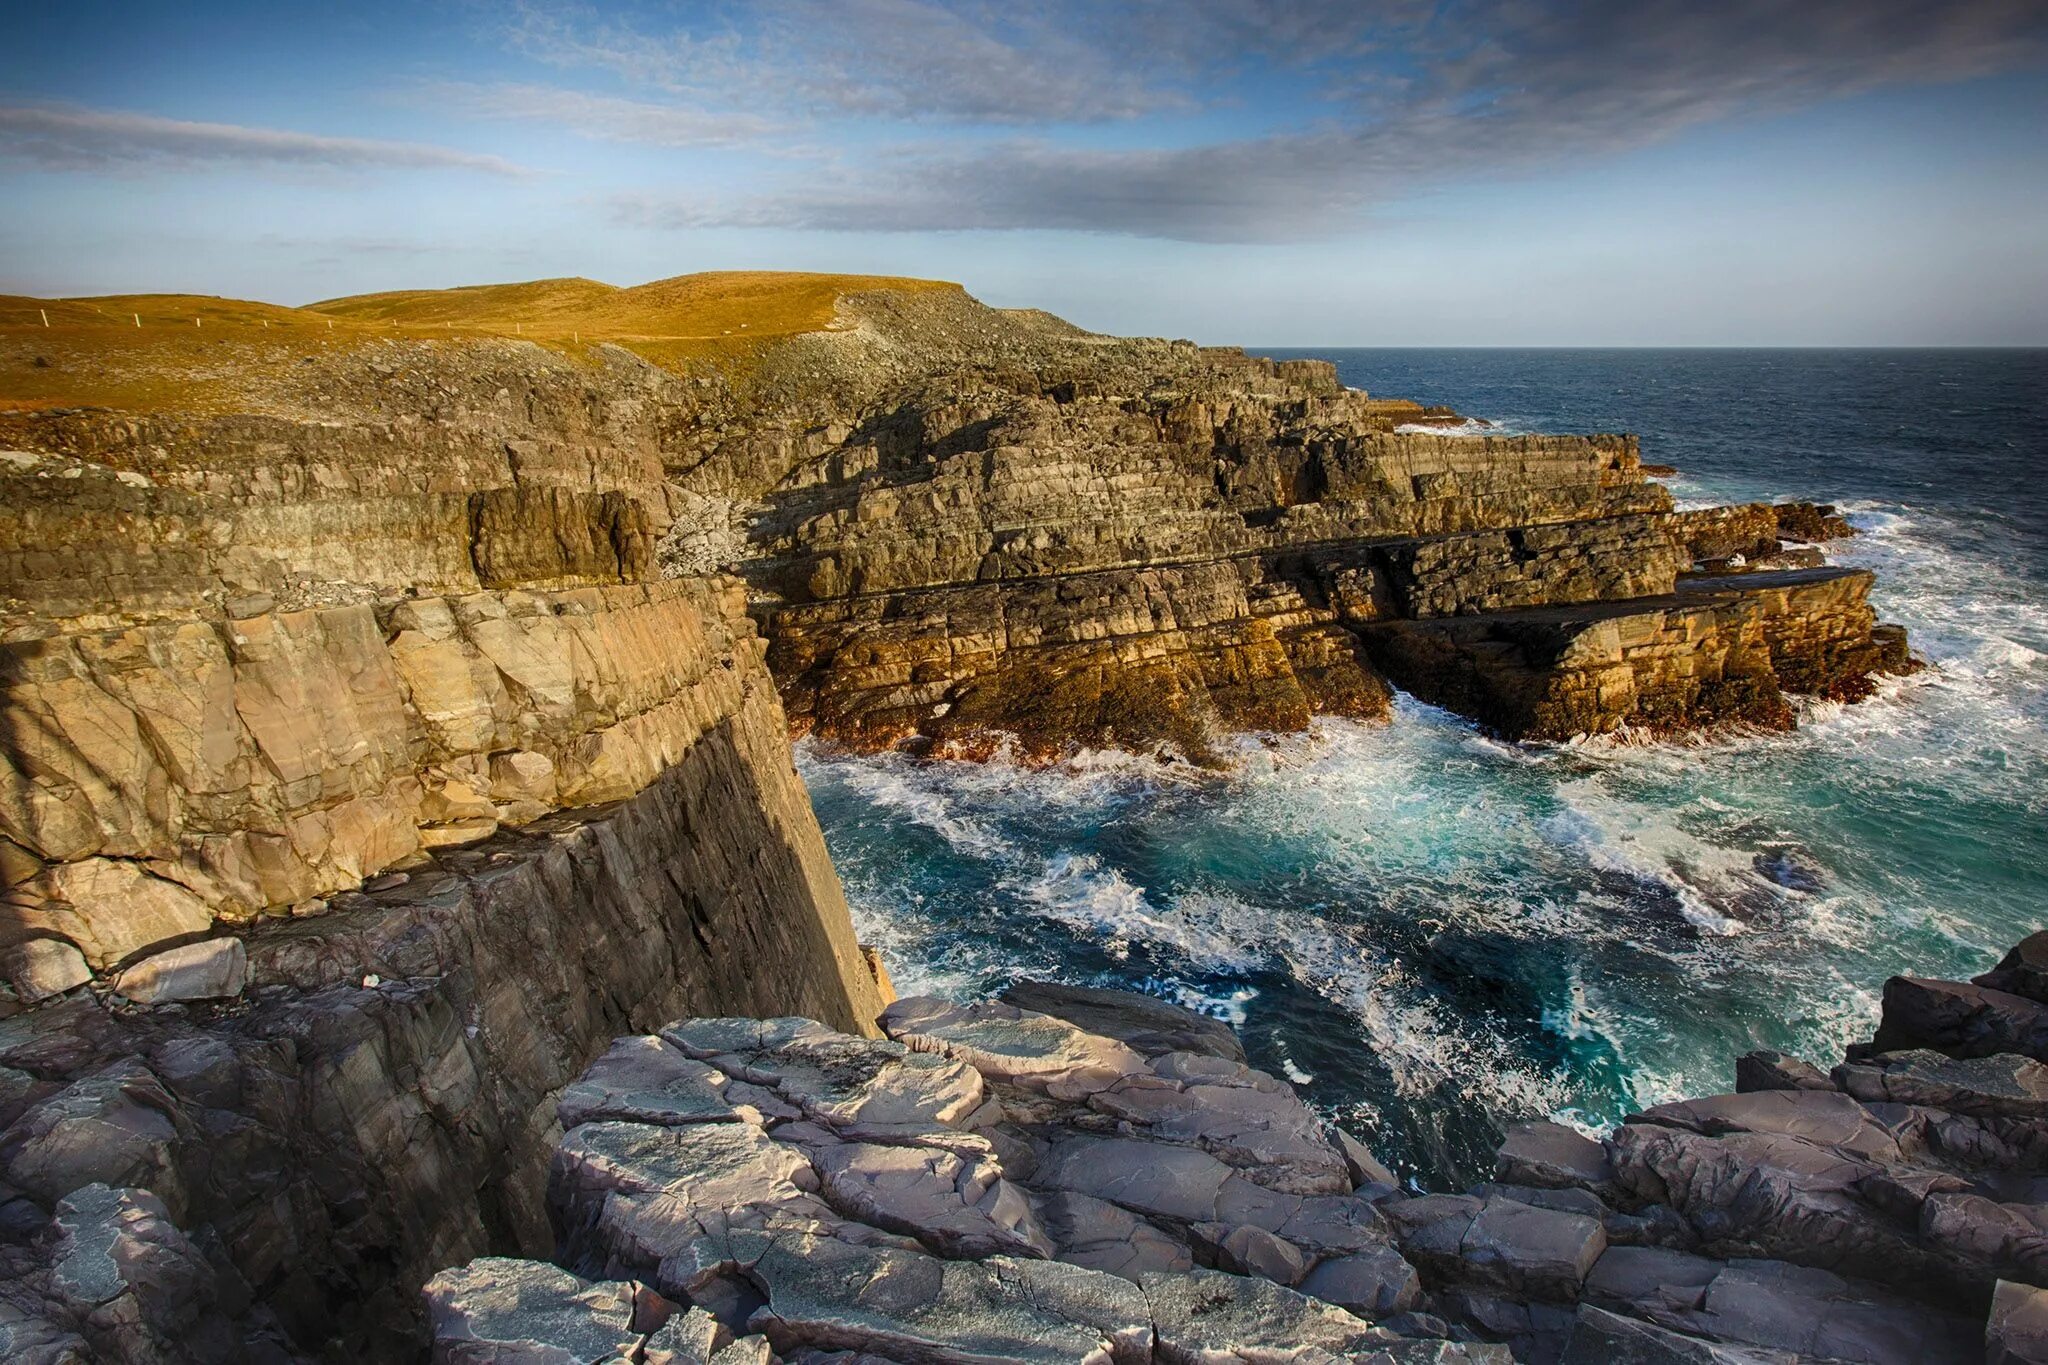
column 499, row 1311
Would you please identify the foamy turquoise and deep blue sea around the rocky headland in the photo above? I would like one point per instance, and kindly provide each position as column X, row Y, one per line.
column 1435, row 932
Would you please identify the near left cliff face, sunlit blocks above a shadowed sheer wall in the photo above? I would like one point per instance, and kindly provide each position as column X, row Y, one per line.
column 359, row 779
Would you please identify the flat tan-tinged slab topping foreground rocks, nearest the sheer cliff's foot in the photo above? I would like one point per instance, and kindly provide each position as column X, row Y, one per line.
column 1013, row 1045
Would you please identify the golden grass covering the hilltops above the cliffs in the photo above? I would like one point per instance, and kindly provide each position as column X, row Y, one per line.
column 155, row 353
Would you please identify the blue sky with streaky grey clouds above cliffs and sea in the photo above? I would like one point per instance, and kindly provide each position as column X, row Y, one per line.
column 1269, row 173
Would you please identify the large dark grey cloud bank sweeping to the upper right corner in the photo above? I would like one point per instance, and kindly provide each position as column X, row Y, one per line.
column 1422, row 95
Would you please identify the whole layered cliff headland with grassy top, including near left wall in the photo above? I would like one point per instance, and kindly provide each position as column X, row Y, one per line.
column 398, row 693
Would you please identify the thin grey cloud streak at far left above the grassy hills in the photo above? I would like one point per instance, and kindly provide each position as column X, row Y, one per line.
column 69, row 138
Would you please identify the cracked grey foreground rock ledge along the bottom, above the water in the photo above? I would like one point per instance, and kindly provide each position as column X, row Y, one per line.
column 996, row 1184
